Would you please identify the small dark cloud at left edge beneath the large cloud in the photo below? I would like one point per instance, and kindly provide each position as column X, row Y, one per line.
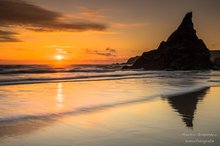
column 8, row 36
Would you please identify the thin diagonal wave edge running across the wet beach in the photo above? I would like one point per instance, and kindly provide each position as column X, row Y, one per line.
column 99, row 107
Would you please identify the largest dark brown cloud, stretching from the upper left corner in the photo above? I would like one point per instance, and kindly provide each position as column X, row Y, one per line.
column 36, row 18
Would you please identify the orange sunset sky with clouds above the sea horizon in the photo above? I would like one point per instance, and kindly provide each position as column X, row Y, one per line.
column 97, row 31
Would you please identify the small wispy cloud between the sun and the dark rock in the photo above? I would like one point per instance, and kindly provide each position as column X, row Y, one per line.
column 107, row 52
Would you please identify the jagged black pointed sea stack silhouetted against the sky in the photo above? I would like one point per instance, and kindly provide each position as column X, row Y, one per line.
column 183, row 50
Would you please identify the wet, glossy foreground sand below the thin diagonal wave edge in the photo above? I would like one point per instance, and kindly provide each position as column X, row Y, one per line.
column 190, row 119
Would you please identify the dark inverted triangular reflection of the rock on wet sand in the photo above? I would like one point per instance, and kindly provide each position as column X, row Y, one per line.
column 186, row 105
